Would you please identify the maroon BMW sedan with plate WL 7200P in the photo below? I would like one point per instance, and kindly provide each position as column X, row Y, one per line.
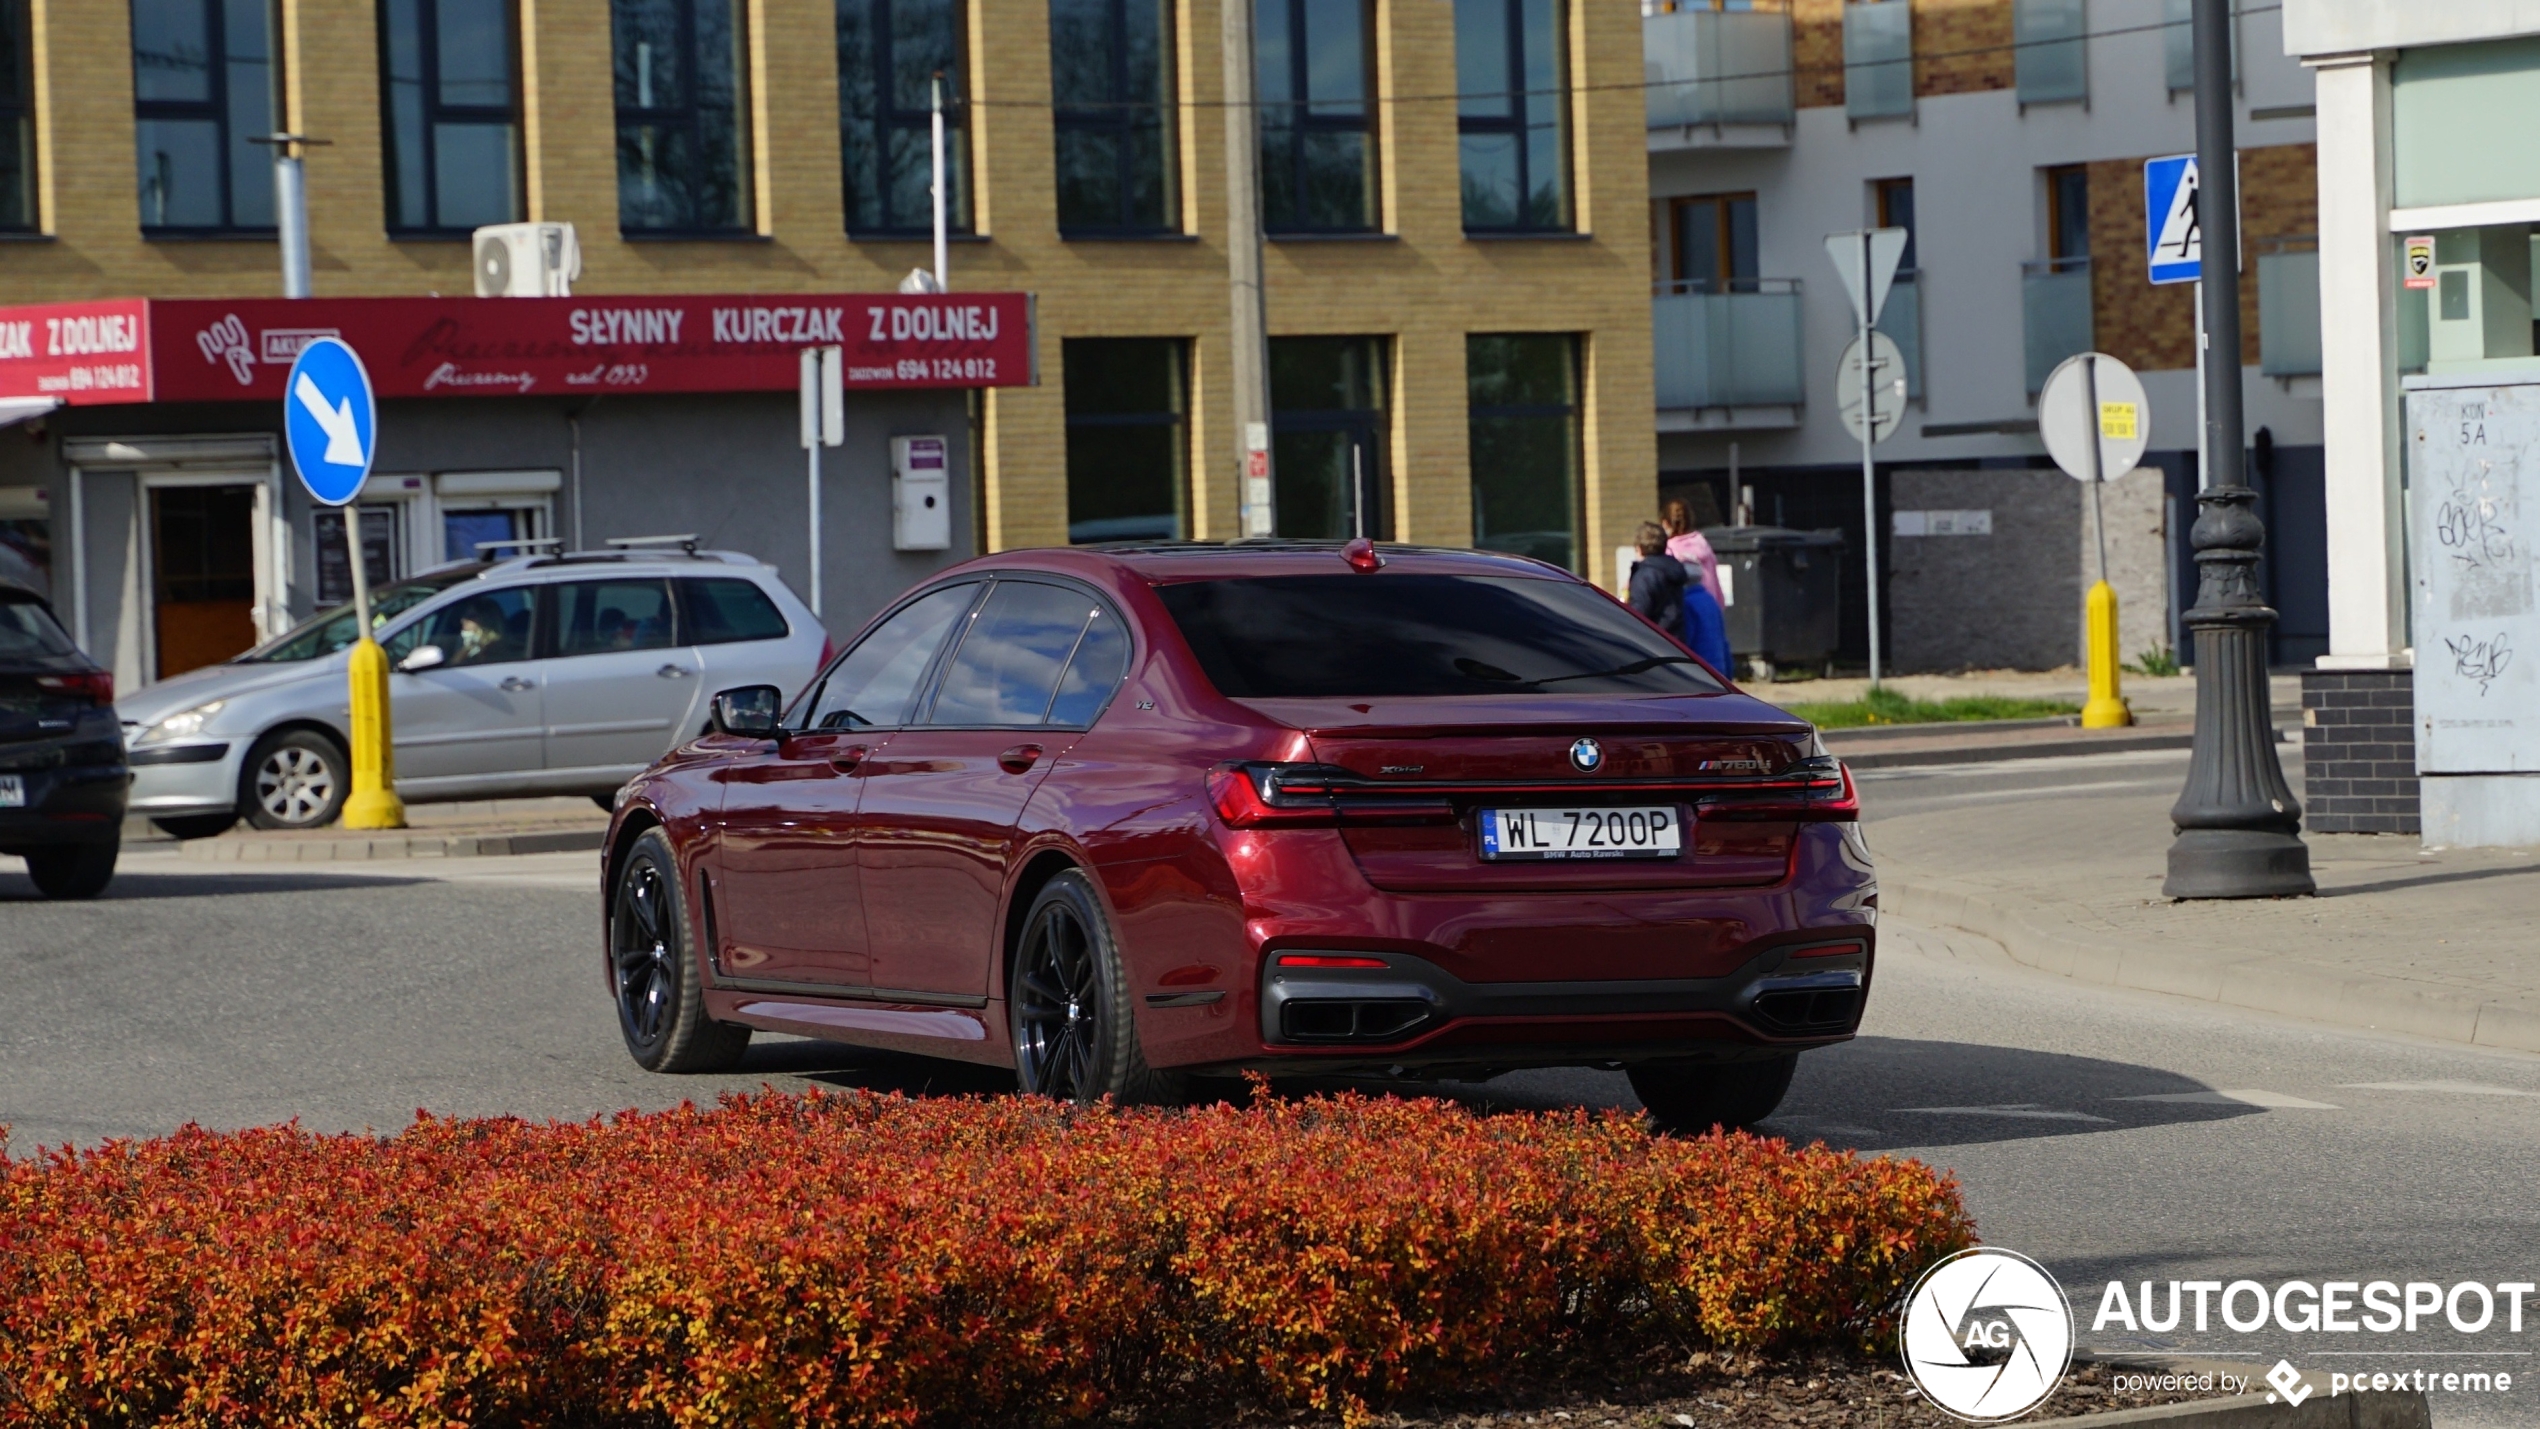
column 1126, row 816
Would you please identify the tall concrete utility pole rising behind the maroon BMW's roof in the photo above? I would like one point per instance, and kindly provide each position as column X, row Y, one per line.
column 1251, row 331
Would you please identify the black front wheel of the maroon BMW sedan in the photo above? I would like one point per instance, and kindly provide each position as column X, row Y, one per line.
column 662, row 1006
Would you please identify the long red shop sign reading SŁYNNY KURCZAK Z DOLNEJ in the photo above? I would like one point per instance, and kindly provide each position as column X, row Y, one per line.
column 512, row 346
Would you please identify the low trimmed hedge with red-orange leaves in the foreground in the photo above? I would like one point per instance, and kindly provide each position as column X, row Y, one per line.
column 862, row 1260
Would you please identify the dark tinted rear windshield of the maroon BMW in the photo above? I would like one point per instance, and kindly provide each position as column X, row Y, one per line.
column 1421, row 636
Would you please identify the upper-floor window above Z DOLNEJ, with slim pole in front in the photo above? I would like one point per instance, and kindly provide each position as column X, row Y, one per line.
column 890, row 55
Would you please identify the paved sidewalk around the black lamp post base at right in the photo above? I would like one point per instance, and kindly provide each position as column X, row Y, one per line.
column 2430, row 943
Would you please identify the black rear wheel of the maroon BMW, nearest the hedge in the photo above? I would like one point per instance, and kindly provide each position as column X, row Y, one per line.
column 1068, row 1006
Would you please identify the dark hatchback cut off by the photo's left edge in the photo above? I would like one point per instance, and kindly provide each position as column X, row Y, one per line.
column 62, row 755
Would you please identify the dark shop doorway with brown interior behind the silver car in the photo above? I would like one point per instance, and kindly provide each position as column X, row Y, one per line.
column 204, row 575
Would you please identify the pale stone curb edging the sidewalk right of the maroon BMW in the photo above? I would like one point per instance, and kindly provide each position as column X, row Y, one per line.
column 2267, row 984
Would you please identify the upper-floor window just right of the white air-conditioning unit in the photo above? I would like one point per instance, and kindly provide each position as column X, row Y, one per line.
column 682, row 133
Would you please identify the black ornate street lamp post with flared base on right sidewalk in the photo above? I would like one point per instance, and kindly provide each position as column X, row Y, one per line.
column 2236, row 819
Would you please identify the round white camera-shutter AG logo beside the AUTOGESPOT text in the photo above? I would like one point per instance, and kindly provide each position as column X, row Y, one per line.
column 1988, row 1336
